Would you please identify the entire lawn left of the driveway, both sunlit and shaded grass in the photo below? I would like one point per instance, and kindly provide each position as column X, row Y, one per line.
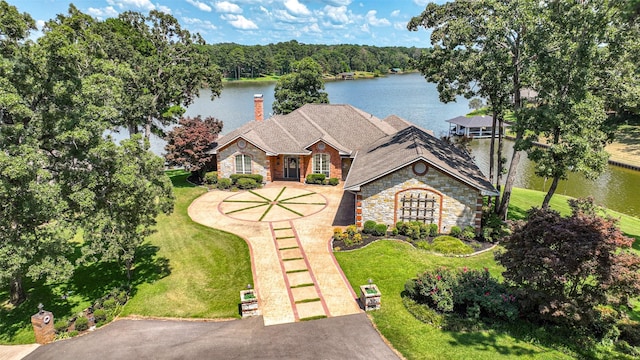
column 183, row 270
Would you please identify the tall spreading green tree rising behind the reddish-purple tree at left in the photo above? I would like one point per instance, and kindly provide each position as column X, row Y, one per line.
column 164, row 69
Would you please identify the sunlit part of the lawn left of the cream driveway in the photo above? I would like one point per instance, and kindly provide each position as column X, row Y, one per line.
column 207, row 267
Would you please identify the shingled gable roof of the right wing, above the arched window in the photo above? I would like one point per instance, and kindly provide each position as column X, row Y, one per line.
column 407, row 146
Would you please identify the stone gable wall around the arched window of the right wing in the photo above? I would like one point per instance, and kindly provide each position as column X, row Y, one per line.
column 459, row 202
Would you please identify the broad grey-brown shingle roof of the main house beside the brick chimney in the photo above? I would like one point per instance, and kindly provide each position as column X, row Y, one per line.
column 341, row 126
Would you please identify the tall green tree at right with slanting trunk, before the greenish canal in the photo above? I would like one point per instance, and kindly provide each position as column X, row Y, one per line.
column 572, row 60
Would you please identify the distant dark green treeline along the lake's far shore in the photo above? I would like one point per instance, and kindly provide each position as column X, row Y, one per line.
column 252, row 61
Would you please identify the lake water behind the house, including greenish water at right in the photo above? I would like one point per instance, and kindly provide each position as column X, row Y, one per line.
column 412, row 98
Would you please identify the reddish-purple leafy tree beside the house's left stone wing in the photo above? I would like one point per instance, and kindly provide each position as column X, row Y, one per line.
column 187, row 143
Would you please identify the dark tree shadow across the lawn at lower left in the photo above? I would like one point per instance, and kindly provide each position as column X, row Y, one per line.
column 89, row 283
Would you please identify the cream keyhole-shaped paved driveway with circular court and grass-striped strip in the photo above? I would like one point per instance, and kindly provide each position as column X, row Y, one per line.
column 288, row 227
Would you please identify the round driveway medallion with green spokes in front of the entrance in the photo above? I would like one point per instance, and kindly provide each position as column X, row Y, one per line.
column 273, row 204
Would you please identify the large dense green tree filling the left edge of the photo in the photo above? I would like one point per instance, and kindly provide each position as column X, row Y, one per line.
column 57, row 98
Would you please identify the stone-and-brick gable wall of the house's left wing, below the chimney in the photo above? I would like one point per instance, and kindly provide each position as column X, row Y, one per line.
column 227, row 160
